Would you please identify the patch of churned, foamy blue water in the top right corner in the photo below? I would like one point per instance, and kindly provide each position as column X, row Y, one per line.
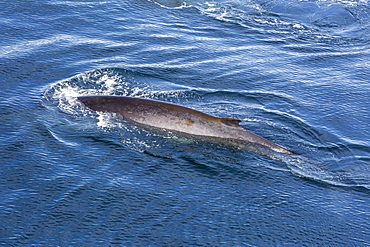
column 338, row 22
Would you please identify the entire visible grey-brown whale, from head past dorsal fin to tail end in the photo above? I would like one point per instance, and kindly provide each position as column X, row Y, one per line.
column 178, row 118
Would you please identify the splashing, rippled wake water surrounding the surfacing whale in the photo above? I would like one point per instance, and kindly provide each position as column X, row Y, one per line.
column 337, row 164
